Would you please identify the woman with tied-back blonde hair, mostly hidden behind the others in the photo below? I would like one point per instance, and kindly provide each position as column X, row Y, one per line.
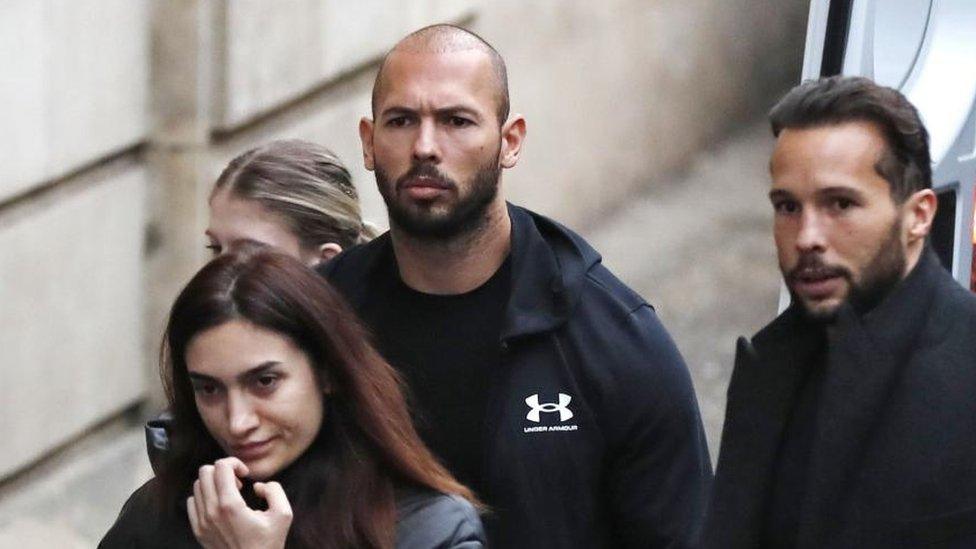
column 291, row 195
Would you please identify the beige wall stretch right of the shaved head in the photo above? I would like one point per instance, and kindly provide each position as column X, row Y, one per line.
column 618, row 94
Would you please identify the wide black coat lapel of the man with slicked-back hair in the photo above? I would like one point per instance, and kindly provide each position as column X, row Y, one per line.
column 866, row 357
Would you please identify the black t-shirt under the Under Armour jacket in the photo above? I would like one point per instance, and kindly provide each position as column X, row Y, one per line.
column 447, row 347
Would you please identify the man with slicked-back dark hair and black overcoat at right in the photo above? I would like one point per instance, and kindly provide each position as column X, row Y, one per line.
column 851, row 420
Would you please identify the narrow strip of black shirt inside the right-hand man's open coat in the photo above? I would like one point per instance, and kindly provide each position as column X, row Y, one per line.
column 792, row 468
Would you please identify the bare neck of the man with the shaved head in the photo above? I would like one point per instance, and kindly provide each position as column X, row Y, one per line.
column 455, row 265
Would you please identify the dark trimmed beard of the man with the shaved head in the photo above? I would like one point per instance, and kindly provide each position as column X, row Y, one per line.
column 421, row 220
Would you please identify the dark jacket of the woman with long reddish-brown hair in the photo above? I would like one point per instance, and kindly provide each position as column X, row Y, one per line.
column 426, row 520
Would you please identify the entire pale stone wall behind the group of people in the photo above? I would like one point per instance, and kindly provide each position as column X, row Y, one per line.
column 120, row 113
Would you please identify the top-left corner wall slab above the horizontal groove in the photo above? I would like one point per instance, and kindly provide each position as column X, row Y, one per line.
column 74, row 85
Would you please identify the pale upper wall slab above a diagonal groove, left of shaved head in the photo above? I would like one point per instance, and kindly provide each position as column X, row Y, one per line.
column 273, row 52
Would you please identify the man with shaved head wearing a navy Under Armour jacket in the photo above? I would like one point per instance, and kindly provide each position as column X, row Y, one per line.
column 540, row 380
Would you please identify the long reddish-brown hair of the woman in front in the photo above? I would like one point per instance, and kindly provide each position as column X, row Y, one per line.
column 342, row 487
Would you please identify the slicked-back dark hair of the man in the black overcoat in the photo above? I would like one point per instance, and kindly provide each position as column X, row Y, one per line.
column 906, row 164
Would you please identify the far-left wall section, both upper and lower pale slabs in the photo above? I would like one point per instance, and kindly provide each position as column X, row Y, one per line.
column 73, row 93
